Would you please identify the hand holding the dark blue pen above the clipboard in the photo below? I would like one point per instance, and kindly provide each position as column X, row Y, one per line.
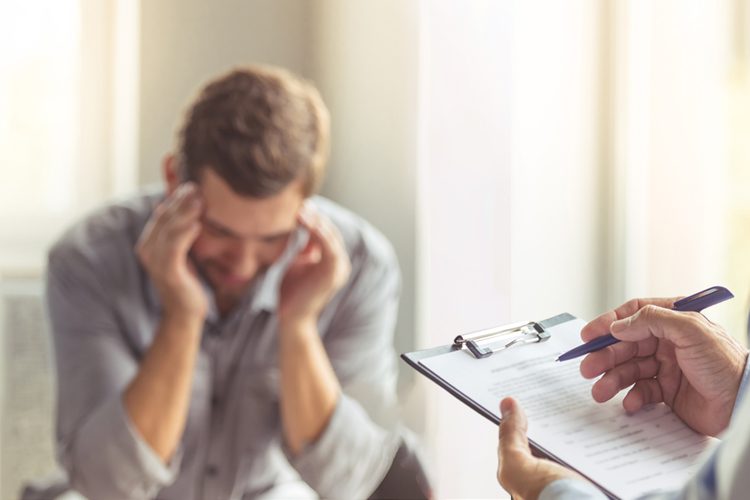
column 680, row 358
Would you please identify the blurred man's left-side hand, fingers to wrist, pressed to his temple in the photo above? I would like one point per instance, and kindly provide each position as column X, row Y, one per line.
column 163, row 251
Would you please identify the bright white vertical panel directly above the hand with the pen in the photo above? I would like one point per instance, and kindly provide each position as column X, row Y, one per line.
column 670, row 156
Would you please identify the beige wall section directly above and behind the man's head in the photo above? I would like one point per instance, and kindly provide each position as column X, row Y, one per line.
column 183, row 43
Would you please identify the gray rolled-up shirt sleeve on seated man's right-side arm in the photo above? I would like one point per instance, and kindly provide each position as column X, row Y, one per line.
column 356, row 449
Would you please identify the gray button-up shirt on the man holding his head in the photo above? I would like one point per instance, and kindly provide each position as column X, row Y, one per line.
column 104, row 313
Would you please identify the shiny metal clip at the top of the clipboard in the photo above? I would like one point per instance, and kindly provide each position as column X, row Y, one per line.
column 484, row 343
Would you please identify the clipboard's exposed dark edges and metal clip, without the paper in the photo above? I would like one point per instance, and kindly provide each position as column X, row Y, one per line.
column 477, row 344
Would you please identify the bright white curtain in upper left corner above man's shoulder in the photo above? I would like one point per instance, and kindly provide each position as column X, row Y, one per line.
column 68, row 102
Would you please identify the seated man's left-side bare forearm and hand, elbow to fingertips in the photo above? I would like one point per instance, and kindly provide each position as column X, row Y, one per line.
column 157, row 398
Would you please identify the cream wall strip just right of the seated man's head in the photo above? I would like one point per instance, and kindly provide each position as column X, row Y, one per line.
column 366, row 64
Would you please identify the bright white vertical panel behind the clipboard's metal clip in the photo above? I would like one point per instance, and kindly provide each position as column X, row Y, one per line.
column 464, row 218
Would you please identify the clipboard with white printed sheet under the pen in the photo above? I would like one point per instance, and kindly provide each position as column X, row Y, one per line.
column 518, row 360
